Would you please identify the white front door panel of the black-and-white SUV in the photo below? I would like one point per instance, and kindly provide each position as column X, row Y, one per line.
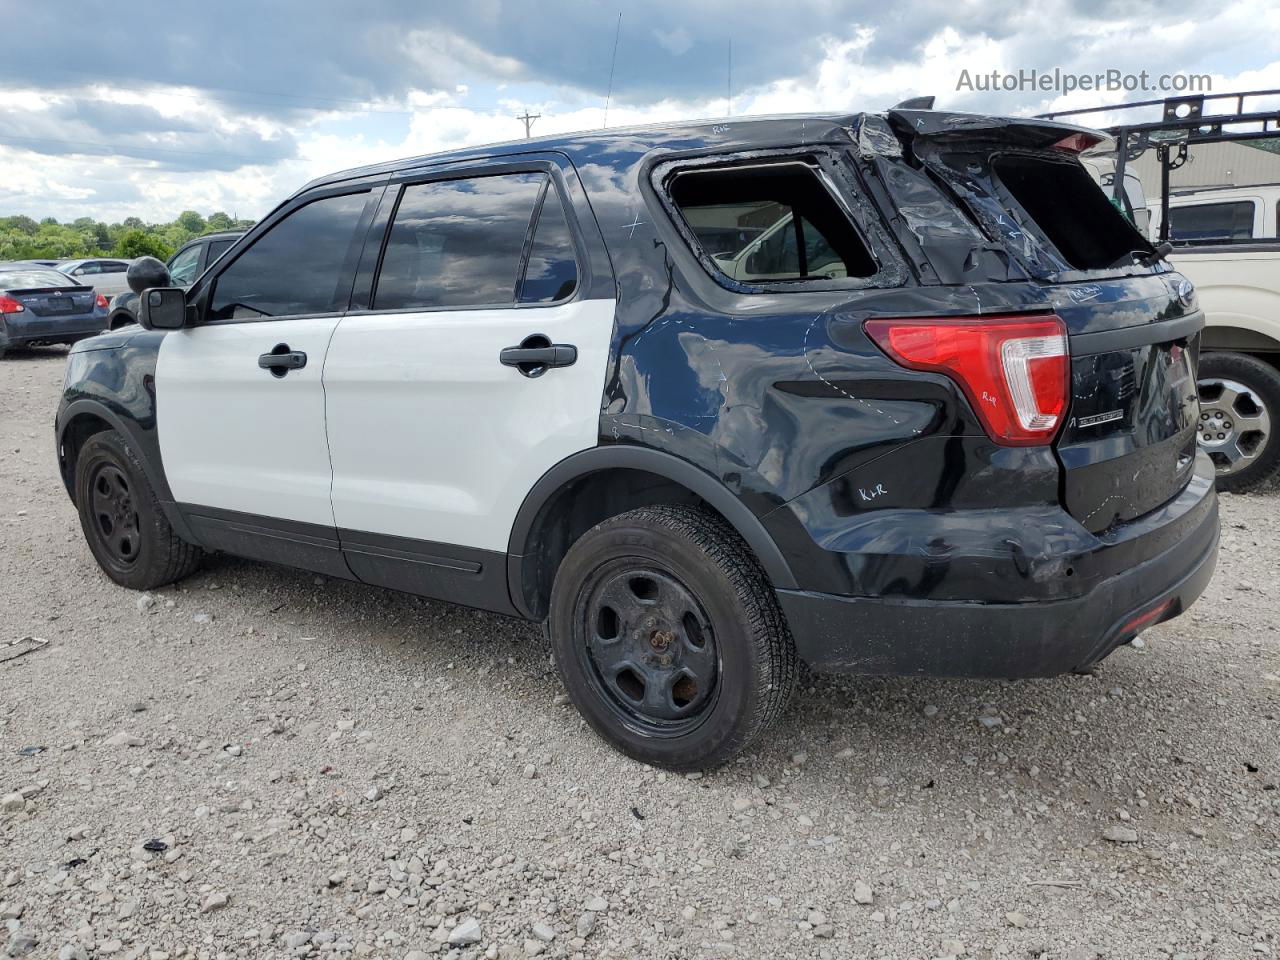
column 236, row 437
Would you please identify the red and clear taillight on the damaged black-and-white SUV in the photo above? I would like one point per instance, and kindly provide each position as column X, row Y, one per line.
column 1014, row 369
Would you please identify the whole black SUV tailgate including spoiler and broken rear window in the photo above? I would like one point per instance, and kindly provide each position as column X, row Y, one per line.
column 1128, row 444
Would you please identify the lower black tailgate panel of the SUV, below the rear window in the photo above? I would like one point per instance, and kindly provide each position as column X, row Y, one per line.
column 1128, row 445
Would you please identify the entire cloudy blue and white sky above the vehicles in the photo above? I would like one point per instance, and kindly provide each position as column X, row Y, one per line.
column 141, row 108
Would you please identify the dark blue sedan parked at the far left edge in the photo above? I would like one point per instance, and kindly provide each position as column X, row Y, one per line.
column 40, row 305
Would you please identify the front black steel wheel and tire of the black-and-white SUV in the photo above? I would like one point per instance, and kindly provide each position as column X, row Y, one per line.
column 124, row 523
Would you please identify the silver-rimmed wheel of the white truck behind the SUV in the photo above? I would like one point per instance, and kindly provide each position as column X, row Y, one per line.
column 1240, row 409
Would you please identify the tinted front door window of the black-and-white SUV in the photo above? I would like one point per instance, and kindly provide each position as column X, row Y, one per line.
column 298, row 267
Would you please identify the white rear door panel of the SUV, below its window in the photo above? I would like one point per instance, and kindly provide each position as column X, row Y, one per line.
column 433, row 440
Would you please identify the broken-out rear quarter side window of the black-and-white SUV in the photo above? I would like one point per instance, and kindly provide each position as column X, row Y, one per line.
column 771, row 223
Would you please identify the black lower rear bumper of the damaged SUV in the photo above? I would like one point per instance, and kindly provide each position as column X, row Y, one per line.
column 1034, row 639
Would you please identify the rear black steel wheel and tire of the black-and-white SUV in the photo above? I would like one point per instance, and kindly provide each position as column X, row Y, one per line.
column 670, row 639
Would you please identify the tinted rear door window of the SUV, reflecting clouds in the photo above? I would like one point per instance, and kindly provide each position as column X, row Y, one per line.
column 458, row 243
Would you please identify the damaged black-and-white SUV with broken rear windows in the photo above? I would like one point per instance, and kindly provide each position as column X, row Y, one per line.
column 894, row 395
